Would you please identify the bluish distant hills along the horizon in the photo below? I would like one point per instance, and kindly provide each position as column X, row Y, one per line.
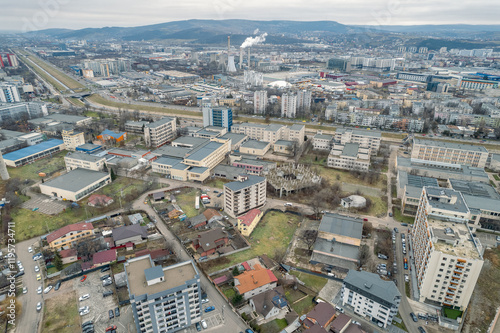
column 213, row 31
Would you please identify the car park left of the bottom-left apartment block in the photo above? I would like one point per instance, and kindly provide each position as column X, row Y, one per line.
column 99, row 305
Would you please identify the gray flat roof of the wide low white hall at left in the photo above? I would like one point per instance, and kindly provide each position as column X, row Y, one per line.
column 76, row 180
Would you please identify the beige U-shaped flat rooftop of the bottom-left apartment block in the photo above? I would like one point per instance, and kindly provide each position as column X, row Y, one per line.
column 175, row 276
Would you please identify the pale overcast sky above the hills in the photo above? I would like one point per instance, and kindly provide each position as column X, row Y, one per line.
column 75, row 14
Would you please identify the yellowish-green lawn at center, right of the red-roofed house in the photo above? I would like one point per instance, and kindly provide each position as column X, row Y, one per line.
column 273, row 232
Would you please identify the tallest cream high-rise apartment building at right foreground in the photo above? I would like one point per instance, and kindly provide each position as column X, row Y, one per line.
column 448, row 258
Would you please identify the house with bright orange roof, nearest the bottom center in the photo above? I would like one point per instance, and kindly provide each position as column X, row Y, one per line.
column 255, row 281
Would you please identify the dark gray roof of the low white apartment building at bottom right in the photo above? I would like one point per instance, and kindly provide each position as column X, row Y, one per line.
column 373, row 287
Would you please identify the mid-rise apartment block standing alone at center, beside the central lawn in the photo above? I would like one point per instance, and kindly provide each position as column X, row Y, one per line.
column 243, row 195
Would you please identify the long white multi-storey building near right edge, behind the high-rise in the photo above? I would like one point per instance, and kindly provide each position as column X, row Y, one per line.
column 449, row 152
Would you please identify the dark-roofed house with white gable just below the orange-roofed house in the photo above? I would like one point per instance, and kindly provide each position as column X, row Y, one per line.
column 270, row 303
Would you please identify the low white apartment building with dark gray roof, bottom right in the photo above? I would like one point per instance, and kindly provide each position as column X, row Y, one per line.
column 370, row 296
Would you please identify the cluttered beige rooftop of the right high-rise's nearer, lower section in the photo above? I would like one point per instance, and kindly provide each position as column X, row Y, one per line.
column 453, row 238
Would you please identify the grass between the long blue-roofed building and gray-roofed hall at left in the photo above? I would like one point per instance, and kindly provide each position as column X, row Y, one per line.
column 48, row 165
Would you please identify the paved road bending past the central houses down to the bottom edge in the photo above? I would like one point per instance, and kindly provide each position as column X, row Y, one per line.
column 232, row 321
